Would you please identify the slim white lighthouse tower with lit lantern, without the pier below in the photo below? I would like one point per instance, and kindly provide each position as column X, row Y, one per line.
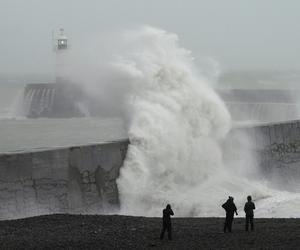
column 61, row 49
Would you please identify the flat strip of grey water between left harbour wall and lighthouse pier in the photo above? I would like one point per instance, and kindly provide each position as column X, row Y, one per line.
column 30, row 134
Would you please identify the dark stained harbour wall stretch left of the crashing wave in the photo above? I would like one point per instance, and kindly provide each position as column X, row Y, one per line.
column 79, row 179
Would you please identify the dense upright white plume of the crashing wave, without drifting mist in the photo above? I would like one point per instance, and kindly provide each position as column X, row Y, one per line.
column 175, row 128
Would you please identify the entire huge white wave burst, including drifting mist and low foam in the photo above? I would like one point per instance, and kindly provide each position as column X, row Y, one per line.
column 178, row 130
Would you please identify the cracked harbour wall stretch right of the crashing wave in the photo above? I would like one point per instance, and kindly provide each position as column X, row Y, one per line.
column 276, row 147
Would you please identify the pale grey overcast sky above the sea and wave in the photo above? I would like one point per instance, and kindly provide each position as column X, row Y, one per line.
column 239, row 34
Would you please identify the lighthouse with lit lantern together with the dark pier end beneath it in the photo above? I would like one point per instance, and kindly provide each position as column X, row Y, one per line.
column 59, row 99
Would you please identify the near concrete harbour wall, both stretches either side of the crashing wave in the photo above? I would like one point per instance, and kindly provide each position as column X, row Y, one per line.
column 82, row 179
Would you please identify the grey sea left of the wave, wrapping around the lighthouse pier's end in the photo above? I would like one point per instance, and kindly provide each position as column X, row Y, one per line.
column 20, row 134
